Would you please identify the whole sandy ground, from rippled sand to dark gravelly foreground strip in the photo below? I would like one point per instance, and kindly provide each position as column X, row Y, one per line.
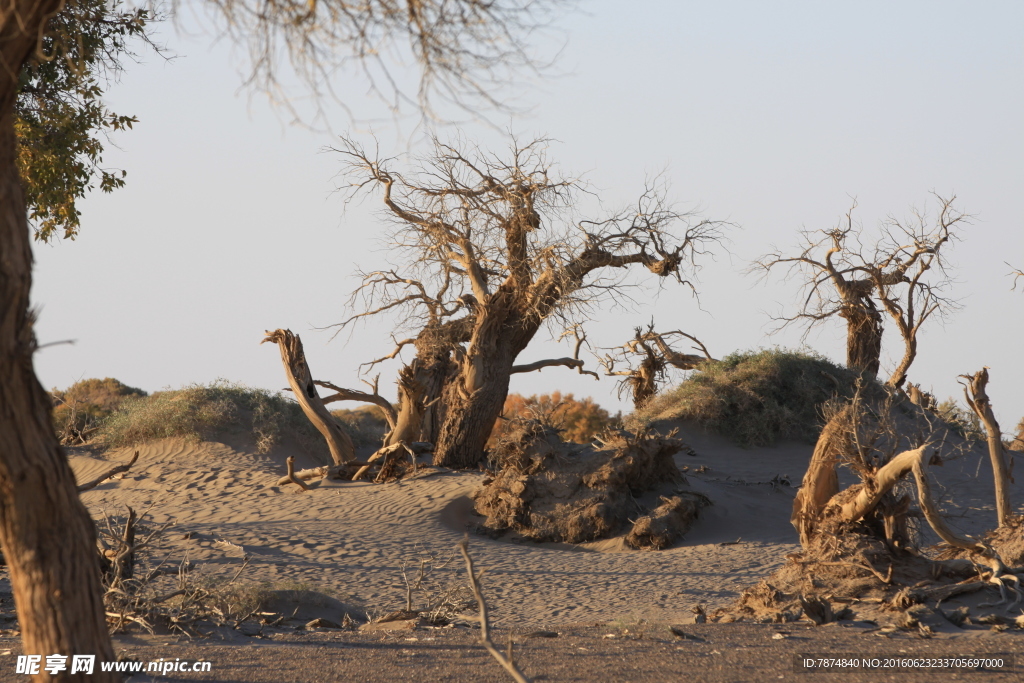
column 351, row 540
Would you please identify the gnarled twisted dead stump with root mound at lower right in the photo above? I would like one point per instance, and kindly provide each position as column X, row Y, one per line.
column 858, row 548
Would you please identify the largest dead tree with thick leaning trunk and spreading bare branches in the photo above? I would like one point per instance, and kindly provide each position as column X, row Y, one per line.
column 491, row 258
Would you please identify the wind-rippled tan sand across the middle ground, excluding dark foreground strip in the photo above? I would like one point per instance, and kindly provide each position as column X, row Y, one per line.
column 352, row 539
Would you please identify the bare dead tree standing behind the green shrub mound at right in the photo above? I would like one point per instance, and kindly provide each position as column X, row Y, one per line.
column 903, row 275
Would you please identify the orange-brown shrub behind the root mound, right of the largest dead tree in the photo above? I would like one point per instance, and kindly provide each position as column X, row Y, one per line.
column 577, row 420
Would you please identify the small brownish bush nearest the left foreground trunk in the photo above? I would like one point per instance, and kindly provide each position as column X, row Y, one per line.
column 79, row 409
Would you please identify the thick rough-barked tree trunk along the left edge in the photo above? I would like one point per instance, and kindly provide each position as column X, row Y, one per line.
column 49, row 539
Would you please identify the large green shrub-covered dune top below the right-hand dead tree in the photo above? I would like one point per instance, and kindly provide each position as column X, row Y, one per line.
column 754, row 398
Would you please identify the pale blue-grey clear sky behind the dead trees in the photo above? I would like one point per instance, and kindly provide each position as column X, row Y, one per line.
column 774, row 117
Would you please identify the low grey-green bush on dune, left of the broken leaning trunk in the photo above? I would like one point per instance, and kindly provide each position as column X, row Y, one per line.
column 203, row 412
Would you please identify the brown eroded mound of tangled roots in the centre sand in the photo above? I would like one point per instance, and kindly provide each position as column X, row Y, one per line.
column 547, row 490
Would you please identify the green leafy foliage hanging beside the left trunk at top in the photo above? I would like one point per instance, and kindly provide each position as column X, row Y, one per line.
column 61, row 119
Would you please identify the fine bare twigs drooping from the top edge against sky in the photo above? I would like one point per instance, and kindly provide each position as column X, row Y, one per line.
column 464, row 51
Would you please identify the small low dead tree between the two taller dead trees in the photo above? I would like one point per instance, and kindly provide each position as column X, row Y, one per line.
column 649, row 358
